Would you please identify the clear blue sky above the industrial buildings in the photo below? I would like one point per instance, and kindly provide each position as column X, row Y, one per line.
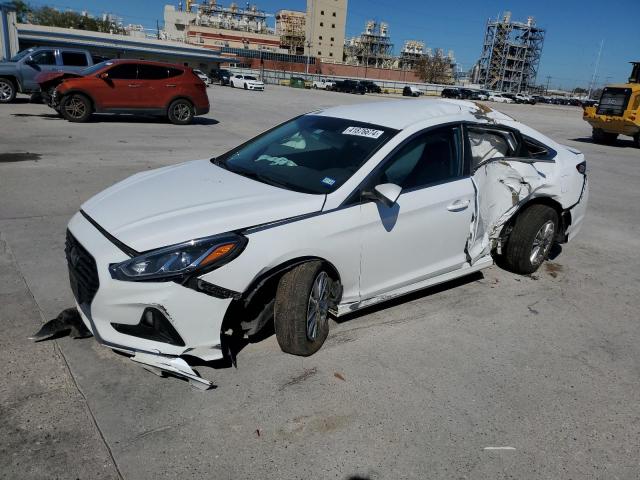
column 575, row 28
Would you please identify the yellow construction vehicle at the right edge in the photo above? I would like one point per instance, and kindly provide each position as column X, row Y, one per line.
column 618, row 112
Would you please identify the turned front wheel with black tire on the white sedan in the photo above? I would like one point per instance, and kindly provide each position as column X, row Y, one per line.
column 291, row 310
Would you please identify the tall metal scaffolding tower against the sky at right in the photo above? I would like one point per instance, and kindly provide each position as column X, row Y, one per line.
column 511, row 54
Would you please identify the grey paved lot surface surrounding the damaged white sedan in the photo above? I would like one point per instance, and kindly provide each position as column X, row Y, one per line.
column 417, row 388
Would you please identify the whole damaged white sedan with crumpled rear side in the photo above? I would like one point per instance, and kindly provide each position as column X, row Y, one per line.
column 323, row 215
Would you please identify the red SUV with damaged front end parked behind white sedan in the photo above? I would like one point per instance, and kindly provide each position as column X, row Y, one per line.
column 130, row 86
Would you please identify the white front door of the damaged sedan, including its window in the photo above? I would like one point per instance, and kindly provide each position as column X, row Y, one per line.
column 424, row 233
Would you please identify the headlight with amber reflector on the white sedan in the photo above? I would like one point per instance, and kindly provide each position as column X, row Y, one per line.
column 178, row 262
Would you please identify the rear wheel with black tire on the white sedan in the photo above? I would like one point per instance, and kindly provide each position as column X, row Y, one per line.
column 529, row 225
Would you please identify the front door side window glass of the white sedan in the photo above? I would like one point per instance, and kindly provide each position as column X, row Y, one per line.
column 432, row 157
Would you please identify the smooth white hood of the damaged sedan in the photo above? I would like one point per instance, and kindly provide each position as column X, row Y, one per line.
column 191, row 200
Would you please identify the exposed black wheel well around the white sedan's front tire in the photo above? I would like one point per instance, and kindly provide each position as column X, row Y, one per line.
column 247, row 314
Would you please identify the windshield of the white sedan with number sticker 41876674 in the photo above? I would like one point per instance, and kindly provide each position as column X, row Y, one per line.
column 310, row 154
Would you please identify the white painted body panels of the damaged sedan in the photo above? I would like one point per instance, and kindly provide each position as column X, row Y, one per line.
column 379, row 252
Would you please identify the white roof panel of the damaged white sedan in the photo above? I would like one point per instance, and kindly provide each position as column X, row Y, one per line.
column 399, row 114
